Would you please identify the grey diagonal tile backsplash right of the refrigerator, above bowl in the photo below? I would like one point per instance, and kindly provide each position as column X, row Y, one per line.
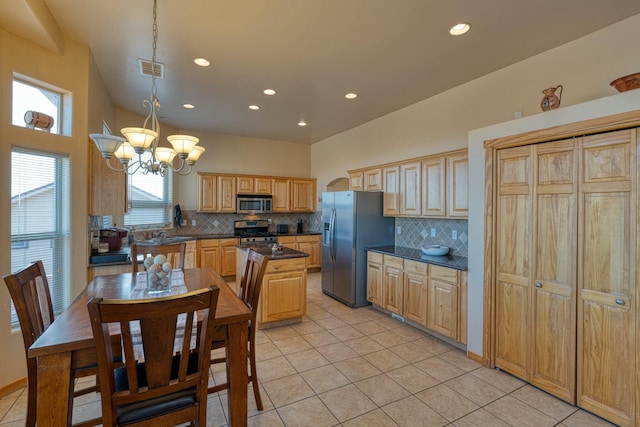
column 416, row 232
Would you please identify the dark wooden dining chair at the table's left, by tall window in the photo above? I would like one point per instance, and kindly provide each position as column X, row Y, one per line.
column 31, row 296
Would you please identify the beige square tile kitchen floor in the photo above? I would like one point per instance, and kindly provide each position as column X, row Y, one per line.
column 359, row 367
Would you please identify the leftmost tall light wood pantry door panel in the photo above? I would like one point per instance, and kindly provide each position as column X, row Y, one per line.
column 514, row 269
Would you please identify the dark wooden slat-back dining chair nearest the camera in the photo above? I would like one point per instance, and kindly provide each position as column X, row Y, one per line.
column 166, row 368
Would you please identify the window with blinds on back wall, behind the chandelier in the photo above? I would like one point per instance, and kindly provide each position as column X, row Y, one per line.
column 150, row 199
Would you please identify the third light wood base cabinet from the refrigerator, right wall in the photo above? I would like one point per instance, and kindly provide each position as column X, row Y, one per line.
column 415, row 291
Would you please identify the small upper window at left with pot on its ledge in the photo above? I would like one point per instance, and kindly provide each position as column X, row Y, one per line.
column 32, row 97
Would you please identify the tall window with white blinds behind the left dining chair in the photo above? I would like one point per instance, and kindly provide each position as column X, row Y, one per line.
column 40, row 183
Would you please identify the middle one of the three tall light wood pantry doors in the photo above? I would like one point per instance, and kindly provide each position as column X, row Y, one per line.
column 553, row 364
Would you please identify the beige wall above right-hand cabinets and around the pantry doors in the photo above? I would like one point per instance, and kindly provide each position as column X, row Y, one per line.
column 585, row 67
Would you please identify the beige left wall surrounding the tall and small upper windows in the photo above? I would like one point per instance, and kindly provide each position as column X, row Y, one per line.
column 70, row 71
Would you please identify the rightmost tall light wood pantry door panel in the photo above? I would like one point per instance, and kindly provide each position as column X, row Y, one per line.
column 607, row 314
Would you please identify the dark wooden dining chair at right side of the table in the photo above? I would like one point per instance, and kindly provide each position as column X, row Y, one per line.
column 249, row 289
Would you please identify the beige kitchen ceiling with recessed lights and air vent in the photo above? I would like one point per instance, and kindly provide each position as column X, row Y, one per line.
column 311, row 52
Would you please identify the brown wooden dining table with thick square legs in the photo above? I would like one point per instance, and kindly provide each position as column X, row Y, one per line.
column 68, row 343
